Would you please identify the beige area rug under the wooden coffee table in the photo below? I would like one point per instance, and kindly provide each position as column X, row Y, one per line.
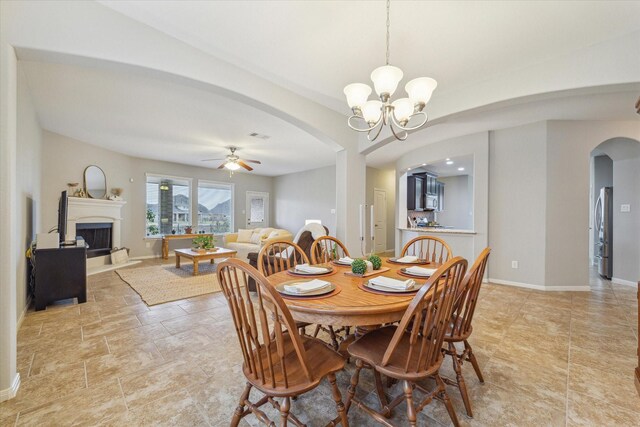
column 164, row 283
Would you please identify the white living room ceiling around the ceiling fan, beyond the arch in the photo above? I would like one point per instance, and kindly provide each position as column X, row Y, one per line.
column 145, row 116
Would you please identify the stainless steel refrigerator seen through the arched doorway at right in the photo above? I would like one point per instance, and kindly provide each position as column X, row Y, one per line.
column 603, row 217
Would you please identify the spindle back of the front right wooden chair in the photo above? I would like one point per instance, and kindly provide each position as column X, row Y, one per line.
column 427, row 318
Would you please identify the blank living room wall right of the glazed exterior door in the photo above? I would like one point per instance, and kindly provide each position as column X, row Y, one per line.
column 305, row 195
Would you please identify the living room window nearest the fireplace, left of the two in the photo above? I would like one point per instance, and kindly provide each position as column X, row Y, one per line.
column 168, row 205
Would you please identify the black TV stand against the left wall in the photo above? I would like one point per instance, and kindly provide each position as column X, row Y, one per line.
column 58, row 274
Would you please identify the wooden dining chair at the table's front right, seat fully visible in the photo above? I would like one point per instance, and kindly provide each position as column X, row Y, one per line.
column 411, row 353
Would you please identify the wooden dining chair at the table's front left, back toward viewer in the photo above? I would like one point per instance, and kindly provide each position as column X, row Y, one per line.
column 277, row 360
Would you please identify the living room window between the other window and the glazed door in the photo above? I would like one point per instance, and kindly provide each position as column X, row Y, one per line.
column 215, row 207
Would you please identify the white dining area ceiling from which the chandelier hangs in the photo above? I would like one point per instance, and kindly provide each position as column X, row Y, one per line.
column 317, row 47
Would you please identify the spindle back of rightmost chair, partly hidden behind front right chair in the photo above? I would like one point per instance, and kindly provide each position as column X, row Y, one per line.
column 465, row 304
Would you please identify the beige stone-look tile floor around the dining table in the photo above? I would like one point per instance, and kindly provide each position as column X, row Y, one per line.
column 548, row 359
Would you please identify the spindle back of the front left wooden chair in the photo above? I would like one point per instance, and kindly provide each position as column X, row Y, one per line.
column 264, row 348
